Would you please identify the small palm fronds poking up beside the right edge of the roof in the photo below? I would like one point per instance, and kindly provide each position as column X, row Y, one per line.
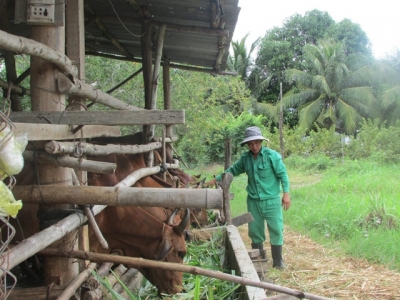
column 241, row 61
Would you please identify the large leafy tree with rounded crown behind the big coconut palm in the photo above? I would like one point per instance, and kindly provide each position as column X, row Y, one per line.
column 282, row 48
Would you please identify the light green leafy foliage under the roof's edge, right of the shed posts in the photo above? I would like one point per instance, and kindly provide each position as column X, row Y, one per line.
column 209, row 101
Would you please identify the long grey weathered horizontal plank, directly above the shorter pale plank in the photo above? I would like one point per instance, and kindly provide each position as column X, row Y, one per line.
column 135, row 117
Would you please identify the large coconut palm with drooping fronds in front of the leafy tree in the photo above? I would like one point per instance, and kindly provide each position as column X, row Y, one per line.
column 335, row 90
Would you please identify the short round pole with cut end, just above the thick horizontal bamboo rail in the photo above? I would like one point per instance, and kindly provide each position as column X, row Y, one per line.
column 70, row 162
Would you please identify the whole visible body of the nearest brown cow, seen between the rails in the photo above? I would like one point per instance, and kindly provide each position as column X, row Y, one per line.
column 145, row 232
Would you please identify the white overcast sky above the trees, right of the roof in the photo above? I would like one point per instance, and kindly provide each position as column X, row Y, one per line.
column 379, row 19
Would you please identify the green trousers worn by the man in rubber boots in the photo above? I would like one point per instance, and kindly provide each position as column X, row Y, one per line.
column 269, row 211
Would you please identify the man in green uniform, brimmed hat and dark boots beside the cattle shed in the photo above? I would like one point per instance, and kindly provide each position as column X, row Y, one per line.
column 266, row 174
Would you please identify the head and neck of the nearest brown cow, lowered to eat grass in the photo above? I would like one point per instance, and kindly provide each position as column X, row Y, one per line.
column 137, row 233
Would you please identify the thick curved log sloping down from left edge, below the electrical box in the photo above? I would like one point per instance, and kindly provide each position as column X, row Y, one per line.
column 23, row 45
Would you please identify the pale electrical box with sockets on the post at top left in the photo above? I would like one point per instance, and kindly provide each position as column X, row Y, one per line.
column 40, row 12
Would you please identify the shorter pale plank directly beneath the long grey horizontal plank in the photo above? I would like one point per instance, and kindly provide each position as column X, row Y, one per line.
column 40, row 132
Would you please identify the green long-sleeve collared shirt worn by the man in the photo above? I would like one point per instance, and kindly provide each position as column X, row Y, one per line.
column 265, row 174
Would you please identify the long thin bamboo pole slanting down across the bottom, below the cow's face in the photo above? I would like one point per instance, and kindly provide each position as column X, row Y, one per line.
column 137, row 262
